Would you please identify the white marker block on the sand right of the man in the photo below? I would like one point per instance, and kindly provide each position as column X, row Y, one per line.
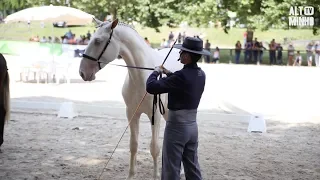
column 257, row 124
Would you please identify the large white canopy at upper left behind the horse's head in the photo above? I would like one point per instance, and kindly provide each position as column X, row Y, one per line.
column 51, row 13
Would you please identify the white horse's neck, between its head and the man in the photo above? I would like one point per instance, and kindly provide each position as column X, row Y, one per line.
column 135, row 52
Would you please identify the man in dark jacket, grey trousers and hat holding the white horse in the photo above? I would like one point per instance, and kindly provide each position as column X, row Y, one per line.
column 184, row 88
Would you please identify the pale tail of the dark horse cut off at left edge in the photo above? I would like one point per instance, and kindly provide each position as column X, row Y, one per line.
column 6, row 97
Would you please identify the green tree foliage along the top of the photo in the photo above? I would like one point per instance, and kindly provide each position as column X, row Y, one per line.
column 262, row 14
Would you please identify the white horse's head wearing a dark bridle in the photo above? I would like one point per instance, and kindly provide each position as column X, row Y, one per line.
column 102, row 48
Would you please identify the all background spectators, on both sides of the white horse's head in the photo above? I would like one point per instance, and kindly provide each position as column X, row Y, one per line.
column 253, row 50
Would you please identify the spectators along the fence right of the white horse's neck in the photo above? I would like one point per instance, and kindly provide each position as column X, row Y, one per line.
column 254, row 51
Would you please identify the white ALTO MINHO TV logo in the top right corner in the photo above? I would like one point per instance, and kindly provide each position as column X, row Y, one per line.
column 301, row 16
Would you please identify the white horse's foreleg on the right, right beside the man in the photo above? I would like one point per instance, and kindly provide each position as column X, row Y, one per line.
column 154, row 145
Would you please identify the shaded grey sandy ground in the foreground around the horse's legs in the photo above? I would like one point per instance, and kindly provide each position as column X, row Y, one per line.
column 41, row 146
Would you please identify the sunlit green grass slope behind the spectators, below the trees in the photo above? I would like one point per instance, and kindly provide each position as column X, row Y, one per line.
column 217, row 37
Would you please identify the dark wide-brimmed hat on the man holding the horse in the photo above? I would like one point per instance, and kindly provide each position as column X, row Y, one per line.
column 193, row 45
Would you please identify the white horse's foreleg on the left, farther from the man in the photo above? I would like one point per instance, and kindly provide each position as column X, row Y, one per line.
column 134, row 135
